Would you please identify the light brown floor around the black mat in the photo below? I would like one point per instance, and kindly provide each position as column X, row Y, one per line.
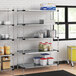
column 37, row 70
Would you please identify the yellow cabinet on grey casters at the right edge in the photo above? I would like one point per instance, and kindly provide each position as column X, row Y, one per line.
column 71, row 51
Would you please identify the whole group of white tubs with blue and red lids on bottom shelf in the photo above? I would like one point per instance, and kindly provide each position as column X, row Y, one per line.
column 44, row 60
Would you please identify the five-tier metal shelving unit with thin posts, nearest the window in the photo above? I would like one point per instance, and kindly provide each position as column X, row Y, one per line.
column 33, row 51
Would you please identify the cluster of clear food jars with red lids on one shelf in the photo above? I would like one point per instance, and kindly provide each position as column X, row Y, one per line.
column 43, row 47
